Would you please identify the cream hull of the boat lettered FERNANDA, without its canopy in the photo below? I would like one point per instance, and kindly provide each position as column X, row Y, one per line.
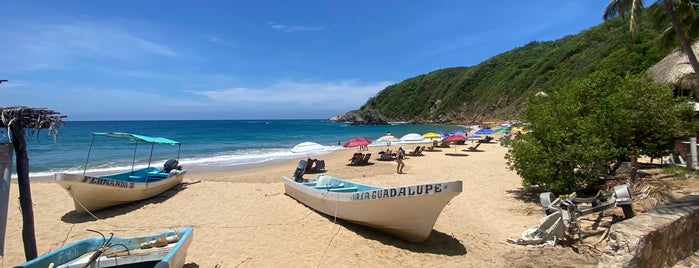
column 94, row 193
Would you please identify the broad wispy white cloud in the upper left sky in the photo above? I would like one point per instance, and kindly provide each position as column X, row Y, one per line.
column 56, row 45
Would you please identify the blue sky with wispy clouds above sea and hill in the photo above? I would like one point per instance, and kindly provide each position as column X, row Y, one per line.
column 141, row 60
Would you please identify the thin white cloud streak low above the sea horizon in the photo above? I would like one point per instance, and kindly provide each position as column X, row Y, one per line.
column 345, row 94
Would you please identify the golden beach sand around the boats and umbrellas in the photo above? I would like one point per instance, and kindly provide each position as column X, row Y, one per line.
column 243, row 218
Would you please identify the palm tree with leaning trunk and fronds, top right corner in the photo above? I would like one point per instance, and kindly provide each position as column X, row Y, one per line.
column 633, row 8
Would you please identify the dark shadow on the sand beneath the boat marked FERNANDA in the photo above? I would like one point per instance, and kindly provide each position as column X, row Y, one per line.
column 75, row 217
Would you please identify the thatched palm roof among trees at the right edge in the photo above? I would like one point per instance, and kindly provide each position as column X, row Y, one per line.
column 676, row 70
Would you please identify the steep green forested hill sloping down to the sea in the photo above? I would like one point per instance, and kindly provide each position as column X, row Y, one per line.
column 499, row 87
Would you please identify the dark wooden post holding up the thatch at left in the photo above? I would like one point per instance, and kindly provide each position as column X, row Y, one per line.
column 25, row 193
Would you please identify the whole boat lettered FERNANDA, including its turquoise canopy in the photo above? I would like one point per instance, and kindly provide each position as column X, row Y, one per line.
column 92, row 193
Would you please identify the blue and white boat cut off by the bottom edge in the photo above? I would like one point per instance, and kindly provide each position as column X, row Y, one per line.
column 161, row 250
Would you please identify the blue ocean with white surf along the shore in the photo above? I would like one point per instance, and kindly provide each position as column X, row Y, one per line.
column 207, row 145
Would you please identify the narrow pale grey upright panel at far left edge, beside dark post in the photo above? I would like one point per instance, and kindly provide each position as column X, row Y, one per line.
column 6, row 169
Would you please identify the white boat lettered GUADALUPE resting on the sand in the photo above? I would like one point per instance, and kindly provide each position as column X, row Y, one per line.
column 408, row 212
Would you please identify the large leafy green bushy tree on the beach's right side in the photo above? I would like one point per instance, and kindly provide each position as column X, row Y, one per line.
column 580, row 129
